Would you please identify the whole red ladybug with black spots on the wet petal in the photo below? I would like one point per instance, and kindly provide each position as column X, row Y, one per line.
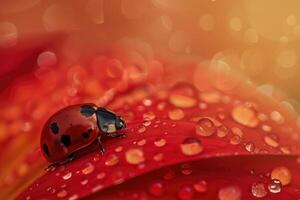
column 75, row 127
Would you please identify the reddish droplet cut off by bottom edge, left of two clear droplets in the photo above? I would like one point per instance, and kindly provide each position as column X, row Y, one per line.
column 230, row 193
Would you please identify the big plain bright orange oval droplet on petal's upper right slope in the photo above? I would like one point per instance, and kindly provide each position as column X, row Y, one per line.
column 245, row 116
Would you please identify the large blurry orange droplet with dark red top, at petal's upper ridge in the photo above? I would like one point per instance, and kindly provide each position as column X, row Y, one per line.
column 182, row 96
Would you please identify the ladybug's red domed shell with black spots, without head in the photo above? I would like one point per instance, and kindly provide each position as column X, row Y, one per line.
column 67, row 131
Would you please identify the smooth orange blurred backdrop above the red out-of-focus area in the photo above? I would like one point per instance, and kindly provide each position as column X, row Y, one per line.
column 259, row 38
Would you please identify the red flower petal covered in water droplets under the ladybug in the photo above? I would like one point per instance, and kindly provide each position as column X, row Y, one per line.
column 208, row 132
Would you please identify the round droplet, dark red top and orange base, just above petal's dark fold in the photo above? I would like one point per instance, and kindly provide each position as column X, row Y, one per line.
column 191, row 146
